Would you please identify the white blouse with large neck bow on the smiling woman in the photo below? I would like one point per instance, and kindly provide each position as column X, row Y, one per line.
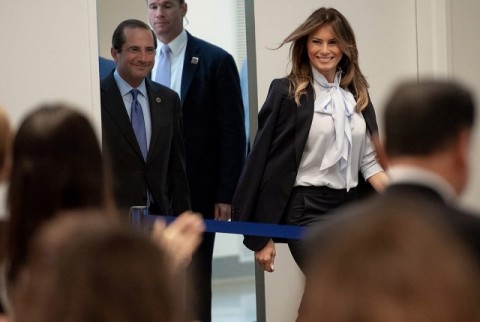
column 338, row 145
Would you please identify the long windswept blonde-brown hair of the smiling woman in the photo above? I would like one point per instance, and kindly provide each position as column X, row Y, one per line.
column 301, row 74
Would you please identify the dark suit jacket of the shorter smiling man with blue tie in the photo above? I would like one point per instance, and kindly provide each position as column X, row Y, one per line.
column 164, row 170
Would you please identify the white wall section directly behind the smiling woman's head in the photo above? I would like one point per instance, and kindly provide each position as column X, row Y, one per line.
column 387, row 47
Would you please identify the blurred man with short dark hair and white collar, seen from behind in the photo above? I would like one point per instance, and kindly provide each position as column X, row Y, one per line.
column 428, row 141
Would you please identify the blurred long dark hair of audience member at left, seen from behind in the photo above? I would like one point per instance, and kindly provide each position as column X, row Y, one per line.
column 57, row 165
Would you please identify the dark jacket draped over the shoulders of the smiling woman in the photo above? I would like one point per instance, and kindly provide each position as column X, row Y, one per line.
column 269, row 175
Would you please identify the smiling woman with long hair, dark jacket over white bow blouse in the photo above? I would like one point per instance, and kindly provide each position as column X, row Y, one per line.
column 313, row 144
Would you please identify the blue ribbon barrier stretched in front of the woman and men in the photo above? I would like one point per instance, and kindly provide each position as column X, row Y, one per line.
column 142, row 217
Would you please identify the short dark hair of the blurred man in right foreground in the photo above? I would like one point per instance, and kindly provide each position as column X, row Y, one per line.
column 423, row 117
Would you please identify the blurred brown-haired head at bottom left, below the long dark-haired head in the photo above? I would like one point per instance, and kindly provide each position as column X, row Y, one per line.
column 105, row 273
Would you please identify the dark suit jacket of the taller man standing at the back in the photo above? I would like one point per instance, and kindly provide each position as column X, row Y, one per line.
column 213, row 119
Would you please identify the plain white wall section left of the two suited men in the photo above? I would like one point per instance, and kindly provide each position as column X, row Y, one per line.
column 48, row 52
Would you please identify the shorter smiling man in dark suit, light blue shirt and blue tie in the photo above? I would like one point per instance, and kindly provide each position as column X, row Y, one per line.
column 142, row 127
